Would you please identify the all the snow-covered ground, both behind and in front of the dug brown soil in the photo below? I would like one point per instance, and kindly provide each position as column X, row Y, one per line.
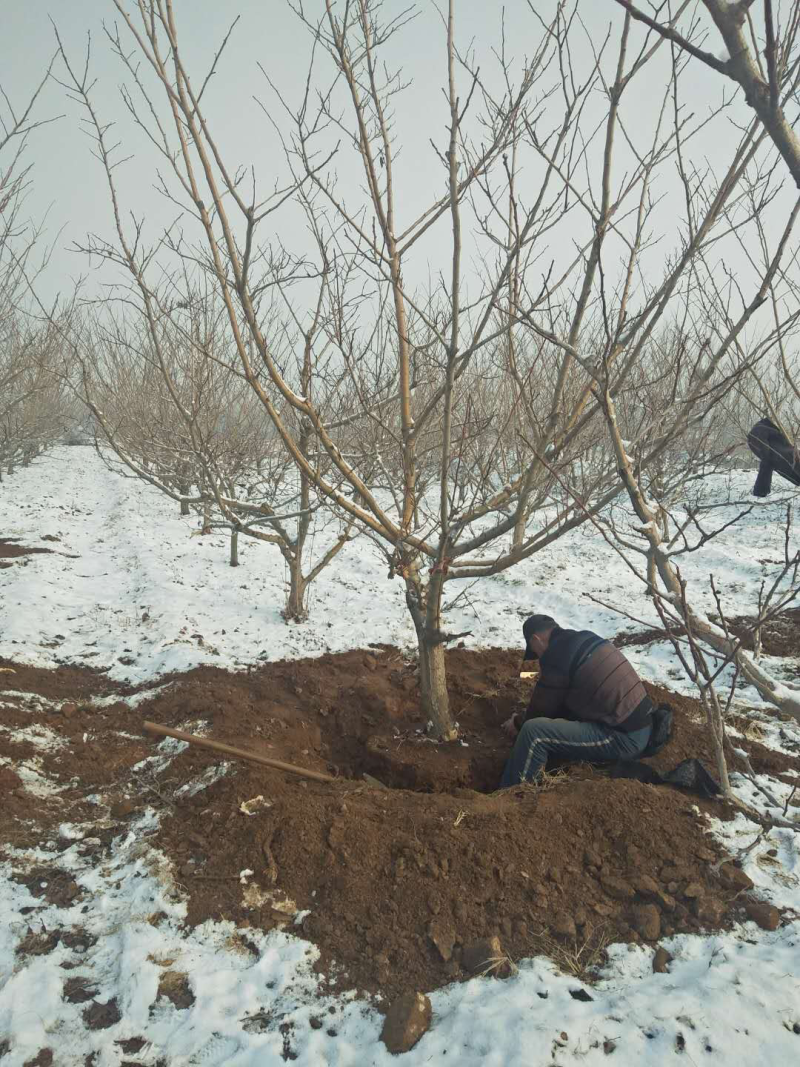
column 129, row 582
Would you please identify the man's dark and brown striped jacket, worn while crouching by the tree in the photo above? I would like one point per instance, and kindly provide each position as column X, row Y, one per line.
column 585, row 678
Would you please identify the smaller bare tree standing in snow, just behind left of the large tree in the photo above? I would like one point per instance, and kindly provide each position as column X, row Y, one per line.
column 172, row 412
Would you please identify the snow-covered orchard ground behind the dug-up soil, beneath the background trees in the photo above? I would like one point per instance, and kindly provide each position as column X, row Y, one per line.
column 132, row 590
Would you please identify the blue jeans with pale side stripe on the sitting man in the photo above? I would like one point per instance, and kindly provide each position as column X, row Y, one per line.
column 587, row 742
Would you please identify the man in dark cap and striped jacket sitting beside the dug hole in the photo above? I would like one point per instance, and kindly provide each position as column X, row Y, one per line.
column 589, row 704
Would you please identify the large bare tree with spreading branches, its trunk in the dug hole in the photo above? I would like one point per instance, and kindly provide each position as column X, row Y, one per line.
column 455, row 409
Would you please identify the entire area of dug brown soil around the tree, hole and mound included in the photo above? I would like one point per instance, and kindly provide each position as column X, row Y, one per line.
column 397, row 882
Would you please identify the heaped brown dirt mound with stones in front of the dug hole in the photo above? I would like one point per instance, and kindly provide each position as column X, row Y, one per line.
column 397, row 883
